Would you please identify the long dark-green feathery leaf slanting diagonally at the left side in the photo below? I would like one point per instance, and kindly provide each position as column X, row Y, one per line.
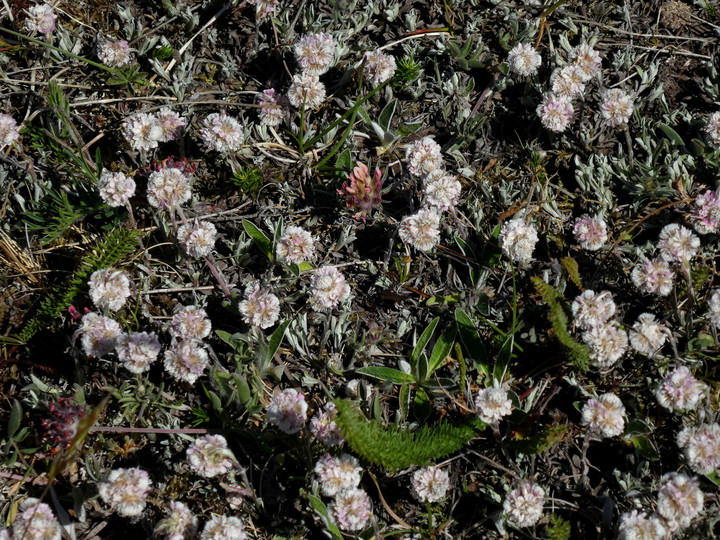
column 117, row 245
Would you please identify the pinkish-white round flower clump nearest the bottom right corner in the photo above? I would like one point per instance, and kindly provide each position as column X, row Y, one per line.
column 679, row 500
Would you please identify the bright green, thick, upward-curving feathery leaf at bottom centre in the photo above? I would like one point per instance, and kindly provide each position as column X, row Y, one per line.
column 394, row 448
